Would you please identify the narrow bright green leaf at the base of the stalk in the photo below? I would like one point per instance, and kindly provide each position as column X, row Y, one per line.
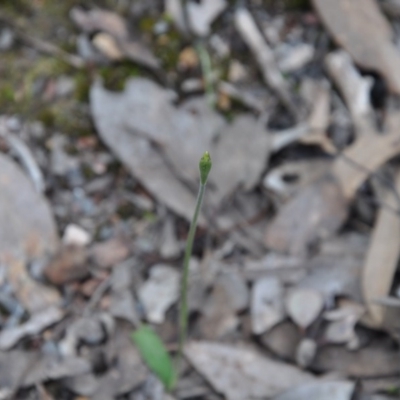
column 155, row 355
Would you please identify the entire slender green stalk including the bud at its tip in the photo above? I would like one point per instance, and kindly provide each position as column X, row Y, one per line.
column 205, row 167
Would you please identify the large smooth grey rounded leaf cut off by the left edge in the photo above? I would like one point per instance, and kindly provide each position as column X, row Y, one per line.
column 27, row 227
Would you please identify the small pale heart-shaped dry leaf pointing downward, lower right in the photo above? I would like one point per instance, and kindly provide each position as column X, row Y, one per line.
column 304, row 305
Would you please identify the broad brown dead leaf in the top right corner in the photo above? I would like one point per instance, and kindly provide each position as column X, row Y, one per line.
column 363, row 31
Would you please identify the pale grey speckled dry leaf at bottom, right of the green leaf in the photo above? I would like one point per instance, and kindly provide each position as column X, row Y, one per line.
column 242, row 373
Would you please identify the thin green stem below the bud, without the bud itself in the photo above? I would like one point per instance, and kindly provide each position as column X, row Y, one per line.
column 183, row 312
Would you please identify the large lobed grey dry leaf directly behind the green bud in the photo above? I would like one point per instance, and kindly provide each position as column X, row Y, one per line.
column 160, row 142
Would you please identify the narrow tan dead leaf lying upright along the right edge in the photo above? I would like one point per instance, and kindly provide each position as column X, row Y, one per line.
column 382, row 258
